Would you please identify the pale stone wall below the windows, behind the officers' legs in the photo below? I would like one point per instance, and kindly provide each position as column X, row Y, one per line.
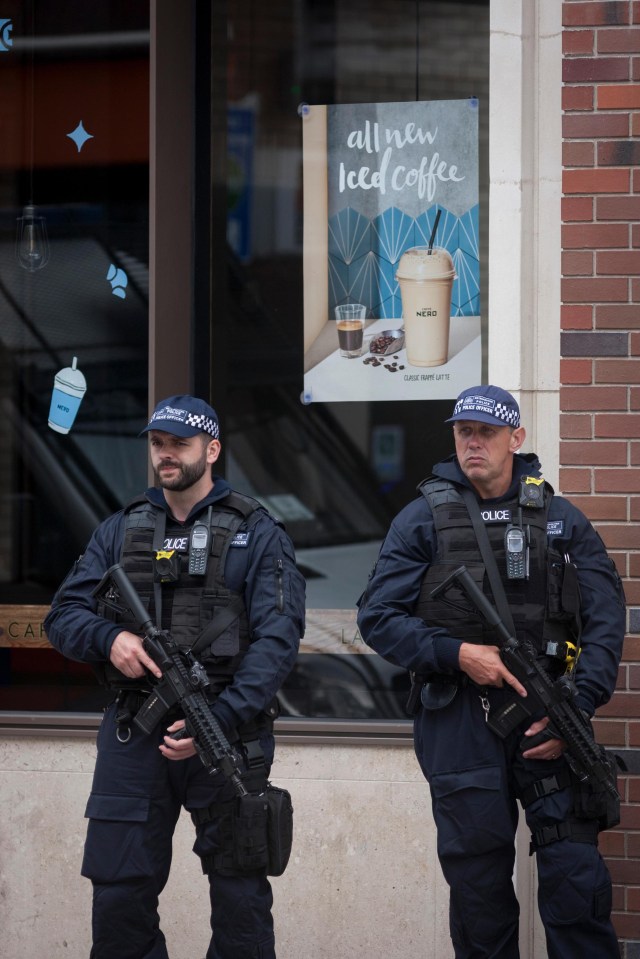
column 363, row 879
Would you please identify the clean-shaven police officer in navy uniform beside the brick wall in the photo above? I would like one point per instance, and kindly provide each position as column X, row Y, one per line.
column 562, row 593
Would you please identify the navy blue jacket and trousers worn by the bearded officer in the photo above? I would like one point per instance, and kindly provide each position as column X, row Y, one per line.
column 137, row 794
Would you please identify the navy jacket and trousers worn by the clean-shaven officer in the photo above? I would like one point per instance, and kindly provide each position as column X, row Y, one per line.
column 474, row 776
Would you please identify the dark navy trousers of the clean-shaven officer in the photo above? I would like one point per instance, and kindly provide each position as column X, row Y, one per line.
column 474, row 778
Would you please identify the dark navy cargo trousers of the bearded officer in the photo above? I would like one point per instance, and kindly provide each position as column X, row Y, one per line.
column 136, row 798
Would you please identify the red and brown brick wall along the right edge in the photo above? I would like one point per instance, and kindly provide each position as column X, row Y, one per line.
column 600, row 364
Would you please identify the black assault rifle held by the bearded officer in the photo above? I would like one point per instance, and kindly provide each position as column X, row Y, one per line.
column 184, row 682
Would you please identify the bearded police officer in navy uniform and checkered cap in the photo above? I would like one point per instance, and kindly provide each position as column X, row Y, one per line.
column 234, row 595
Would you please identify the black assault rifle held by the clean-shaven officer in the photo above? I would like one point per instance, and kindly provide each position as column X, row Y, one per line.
column 556, row 698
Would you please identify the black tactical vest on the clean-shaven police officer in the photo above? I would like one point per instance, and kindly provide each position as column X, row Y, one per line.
column 544, row 607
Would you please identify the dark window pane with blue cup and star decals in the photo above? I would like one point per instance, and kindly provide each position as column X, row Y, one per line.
column 74, row 166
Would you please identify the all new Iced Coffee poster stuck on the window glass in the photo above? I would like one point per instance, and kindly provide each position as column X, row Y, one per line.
column 391, row 251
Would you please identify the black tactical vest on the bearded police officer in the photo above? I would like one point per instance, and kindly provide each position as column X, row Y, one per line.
column 201, row 612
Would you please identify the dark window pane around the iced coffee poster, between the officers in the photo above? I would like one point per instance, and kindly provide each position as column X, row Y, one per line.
column 336, row 473
